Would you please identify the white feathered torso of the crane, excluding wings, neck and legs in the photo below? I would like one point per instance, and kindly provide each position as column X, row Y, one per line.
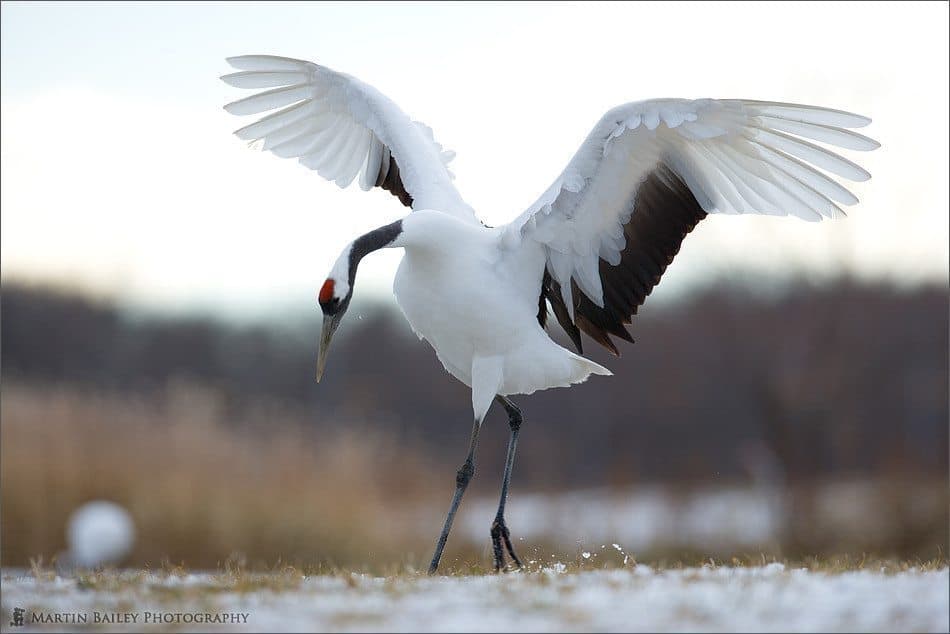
column 476, row 303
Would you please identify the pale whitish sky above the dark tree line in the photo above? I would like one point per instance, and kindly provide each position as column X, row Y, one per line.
column 121, row 175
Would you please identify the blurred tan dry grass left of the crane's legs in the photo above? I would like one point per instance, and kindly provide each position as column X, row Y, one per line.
column 199, row 488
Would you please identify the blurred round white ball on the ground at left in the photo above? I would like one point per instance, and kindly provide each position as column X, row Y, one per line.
column 99, row 533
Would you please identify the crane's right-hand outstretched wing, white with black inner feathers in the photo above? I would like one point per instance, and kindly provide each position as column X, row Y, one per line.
column 649, row 171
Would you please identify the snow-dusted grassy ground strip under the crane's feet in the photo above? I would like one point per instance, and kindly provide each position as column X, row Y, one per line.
column 768, row 598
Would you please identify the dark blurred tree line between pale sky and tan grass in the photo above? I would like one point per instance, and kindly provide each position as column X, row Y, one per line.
column 847, row 378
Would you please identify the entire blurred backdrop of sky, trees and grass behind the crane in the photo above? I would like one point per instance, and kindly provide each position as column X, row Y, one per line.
column 787, row 393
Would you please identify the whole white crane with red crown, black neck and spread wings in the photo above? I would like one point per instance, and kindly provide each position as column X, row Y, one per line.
column 593, row 246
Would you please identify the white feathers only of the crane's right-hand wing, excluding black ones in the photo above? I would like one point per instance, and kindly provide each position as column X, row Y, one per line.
column 736, row 157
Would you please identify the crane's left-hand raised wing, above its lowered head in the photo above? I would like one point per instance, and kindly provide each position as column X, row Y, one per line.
column 335, row 124
